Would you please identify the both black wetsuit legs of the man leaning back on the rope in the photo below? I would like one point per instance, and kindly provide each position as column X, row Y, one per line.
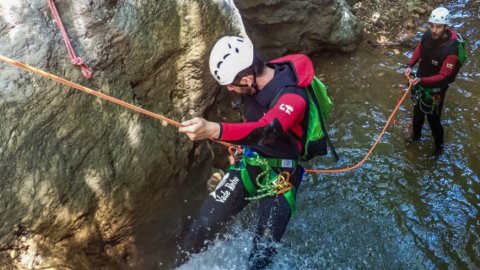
column 228, row 200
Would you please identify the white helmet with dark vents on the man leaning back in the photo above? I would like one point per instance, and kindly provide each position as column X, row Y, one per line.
column 229, row 56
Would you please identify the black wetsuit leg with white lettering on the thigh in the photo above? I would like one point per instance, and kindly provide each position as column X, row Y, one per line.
column 227, row 200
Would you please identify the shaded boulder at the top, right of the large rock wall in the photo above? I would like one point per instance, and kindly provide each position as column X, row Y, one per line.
column 278, row 27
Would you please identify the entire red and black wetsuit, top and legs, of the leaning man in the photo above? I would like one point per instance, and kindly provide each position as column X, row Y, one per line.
column 265, row 132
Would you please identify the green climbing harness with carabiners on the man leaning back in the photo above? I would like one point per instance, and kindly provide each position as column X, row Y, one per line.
column 269, row 182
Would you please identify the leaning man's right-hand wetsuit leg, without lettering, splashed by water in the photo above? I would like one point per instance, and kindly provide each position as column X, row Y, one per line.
column 274, row 215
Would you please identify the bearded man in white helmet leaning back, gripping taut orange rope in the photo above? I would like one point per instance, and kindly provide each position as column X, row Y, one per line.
column 274, row 109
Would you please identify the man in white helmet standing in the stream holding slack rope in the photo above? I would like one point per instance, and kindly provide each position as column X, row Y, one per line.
column 437, row 54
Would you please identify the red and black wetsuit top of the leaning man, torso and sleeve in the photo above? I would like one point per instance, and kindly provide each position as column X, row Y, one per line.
column 265, row 129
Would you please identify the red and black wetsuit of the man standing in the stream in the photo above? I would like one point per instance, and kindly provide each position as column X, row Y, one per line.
column 438, row 67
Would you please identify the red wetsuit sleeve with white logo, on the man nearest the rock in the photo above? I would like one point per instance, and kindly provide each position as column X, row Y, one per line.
column 286, row 114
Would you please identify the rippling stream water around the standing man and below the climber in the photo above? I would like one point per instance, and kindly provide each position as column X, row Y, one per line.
column 403, row 209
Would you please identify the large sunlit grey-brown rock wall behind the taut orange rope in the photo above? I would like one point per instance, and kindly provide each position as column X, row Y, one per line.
column 78, row 174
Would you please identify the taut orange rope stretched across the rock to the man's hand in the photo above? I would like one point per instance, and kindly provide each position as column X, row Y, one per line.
column 92, row 92
